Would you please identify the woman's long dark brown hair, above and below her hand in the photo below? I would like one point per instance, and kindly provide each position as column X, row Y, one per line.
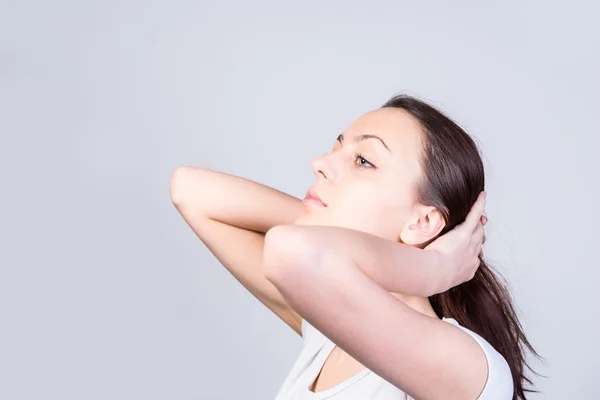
column 453, row 177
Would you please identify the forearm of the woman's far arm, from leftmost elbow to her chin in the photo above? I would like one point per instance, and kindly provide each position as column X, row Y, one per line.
column 232, row 199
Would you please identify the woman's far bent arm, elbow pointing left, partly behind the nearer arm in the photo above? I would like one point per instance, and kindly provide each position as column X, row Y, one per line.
column 231, row 215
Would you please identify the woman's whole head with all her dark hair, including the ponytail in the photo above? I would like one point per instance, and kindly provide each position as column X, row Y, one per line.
column 417, row 186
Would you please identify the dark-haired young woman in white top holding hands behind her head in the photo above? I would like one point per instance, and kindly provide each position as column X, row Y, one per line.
column 379, row 268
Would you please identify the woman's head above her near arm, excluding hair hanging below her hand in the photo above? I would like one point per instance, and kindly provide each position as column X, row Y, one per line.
column 404, row 172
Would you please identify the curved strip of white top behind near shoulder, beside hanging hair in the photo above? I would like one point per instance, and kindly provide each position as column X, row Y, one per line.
column 499, row 384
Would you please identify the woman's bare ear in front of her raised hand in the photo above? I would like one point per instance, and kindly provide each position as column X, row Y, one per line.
column 424, row 226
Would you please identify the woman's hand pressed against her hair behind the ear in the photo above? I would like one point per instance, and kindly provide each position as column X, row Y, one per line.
column 460, row 248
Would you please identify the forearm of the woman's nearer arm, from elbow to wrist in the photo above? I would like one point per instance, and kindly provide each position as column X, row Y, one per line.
column 396, row 267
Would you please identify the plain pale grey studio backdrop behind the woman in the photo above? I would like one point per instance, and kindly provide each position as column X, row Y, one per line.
column 106, row 293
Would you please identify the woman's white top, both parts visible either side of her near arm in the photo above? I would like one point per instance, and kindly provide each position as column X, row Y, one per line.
column 366, row 385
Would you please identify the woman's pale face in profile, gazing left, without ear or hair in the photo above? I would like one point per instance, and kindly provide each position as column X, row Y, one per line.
column 367, row 181
